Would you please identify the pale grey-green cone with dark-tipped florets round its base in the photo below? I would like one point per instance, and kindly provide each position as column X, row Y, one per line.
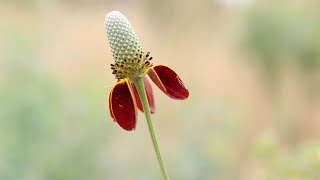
column 125, row 47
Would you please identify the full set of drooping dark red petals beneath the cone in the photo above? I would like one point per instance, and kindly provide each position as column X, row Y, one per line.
column 124, row 99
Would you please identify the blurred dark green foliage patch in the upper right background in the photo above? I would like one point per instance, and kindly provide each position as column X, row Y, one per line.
column 278, row 35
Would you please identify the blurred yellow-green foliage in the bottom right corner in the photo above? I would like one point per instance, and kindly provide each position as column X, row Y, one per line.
column 286, row 162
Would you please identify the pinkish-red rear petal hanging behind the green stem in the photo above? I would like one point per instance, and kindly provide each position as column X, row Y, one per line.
column 149, row 92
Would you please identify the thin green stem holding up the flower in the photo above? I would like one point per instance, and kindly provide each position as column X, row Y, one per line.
column 144, row 101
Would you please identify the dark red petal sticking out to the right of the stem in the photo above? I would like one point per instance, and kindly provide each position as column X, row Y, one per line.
column 168, row 81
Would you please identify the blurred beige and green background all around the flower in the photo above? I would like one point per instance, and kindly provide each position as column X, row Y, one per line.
column 252, row 69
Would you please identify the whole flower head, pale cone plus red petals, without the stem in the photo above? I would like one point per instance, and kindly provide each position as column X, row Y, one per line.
column 132, row 63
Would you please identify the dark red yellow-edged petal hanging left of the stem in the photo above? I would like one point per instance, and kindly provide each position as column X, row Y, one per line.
column 122, row 107
